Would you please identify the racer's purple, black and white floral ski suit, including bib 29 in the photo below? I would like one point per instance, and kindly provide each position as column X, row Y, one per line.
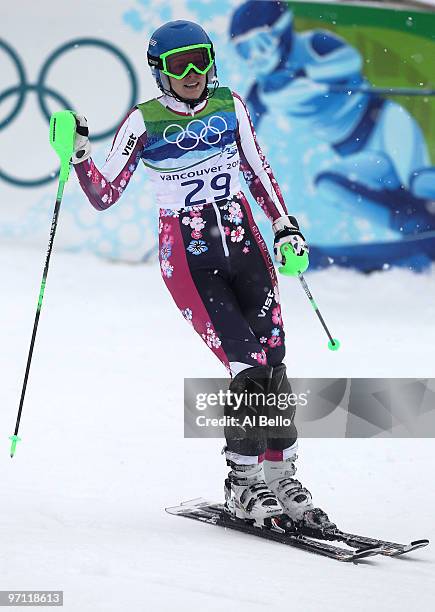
column 213, row 258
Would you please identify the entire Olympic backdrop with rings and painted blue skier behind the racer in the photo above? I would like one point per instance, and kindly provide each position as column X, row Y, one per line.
column 341, row 94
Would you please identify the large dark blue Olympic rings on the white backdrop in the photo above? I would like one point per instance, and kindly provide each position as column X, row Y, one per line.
column 43, row 92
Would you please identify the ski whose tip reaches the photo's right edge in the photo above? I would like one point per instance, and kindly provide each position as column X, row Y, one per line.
column 389, row 549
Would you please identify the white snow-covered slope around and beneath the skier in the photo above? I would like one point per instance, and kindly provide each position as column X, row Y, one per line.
column 103, row 450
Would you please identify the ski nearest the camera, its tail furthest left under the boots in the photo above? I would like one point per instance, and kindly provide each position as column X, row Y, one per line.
column 207, row 512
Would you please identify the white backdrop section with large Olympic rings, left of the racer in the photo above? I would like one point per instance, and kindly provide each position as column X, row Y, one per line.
column 87, row 58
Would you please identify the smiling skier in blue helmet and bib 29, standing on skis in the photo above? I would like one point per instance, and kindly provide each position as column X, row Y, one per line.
column 194, row 139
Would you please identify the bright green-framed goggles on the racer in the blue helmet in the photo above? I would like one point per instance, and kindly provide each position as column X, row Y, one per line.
column 177, row 63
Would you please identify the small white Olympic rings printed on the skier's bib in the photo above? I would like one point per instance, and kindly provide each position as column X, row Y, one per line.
column 208, row 133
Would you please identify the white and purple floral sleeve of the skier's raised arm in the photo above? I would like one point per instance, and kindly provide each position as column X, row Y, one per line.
column 104, row 187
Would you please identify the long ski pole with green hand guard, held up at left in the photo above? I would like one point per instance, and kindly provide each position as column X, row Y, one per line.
column 62, row 132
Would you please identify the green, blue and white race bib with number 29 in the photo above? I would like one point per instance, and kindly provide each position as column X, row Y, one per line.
column 192, row 160
